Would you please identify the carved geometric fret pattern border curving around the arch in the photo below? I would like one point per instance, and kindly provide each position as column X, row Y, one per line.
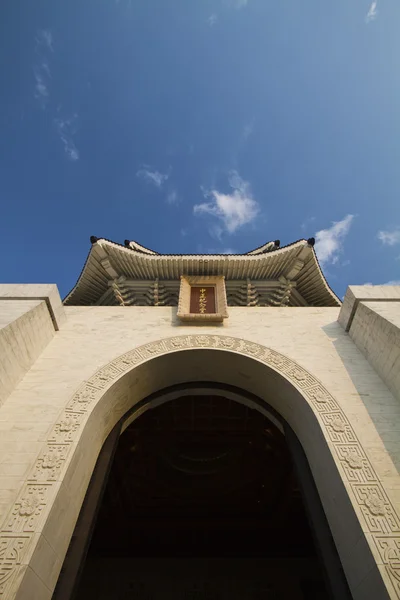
column 379, row 515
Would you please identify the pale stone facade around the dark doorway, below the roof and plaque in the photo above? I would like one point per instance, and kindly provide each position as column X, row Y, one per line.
column 67, row 374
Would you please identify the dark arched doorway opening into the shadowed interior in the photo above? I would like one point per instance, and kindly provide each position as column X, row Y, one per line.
column 202, row 502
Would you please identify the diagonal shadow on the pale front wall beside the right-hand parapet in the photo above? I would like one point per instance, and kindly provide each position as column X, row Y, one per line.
column 383, row 408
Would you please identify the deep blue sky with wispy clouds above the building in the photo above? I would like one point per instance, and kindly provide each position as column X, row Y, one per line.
column 200, row 126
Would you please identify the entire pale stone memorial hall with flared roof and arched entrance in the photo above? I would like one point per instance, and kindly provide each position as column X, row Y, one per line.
column 199, row 427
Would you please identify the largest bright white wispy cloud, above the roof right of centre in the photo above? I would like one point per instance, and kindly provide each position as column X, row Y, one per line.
column 235, row 209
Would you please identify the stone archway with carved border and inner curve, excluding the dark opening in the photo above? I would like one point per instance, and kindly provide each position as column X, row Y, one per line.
column 362, row 520
